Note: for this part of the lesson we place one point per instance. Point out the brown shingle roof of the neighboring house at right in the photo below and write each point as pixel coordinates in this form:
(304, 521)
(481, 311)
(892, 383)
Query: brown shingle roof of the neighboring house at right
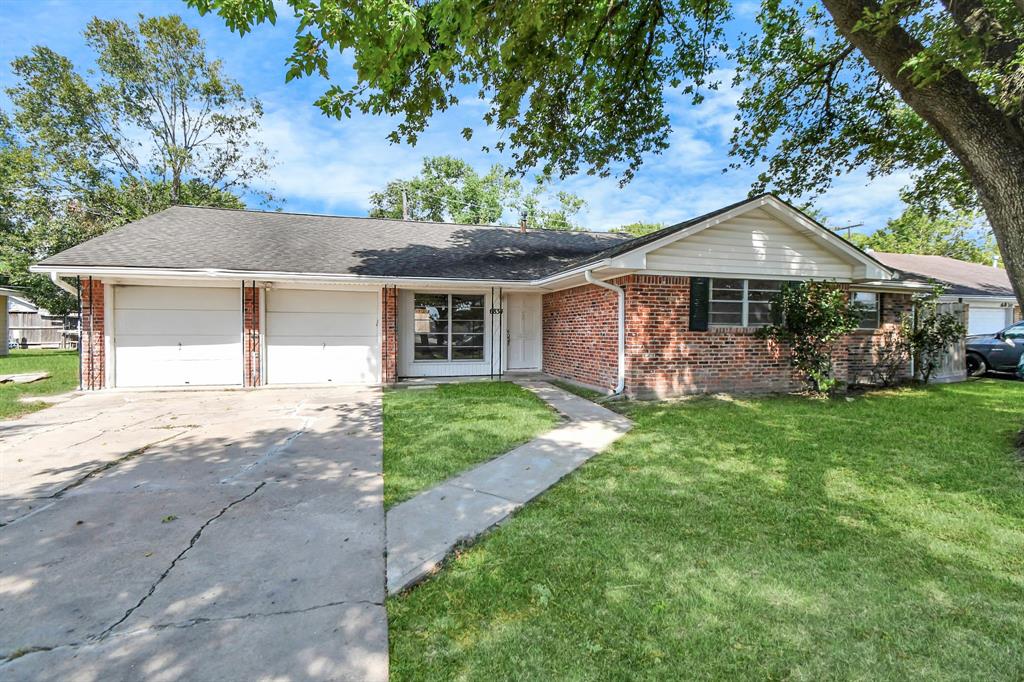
(960, 278)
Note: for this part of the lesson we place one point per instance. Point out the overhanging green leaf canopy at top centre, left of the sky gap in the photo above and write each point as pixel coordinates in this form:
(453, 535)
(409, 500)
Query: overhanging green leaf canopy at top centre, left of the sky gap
(571, 87)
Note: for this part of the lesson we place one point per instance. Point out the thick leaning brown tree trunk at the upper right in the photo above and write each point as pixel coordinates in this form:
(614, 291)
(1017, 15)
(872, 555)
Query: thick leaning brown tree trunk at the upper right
(990, 144)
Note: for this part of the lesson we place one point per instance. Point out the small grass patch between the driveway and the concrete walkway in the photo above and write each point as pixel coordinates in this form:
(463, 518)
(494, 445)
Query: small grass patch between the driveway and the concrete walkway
(434, 434)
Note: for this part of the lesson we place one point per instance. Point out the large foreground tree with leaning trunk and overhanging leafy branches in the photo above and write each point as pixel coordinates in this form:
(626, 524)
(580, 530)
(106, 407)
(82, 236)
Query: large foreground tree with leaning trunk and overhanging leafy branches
(930, 88)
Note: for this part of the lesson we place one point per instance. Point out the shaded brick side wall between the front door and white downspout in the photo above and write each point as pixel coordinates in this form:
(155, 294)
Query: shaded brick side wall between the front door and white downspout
(581, 335)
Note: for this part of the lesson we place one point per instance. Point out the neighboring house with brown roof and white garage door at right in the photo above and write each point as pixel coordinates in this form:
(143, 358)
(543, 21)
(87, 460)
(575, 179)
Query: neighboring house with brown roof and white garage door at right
(986, 291)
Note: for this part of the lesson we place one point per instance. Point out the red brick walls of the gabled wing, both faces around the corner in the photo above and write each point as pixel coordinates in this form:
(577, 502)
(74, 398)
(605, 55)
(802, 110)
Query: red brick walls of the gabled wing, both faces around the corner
(663, 357)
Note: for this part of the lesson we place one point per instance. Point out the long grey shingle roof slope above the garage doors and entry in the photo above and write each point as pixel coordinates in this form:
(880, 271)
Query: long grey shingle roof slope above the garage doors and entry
(191, 238)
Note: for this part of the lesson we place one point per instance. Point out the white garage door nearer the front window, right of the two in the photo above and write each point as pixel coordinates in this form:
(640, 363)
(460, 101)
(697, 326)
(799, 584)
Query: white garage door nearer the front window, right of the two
(322, 337)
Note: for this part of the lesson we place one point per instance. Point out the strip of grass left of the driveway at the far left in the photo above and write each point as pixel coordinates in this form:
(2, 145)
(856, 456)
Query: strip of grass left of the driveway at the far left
(63, 366)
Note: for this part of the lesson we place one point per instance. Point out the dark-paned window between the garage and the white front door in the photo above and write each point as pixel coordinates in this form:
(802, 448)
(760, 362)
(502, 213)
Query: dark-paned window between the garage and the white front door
(448, 327)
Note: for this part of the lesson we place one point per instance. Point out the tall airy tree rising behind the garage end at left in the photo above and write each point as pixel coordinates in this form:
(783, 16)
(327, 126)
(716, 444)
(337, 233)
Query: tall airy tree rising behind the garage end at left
(154, 122)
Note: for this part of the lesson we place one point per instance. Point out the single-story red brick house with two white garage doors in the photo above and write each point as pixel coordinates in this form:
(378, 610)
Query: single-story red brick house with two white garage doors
(198, 296)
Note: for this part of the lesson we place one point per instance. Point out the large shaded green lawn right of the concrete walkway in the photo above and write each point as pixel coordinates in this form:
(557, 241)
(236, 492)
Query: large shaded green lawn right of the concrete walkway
(878, 538)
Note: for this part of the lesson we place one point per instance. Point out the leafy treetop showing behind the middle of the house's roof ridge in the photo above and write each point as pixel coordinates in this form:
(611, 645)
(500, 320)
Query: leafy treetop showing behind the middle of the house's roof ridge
(451, 190)
